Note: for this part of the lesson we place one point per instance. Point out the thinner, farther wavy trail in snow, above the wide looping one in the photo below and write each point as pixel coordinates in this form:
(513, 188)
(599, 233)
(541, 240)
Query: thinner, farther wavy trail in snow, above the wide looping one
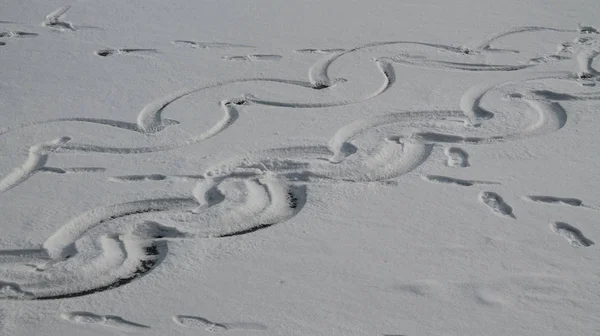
(150, 119)
